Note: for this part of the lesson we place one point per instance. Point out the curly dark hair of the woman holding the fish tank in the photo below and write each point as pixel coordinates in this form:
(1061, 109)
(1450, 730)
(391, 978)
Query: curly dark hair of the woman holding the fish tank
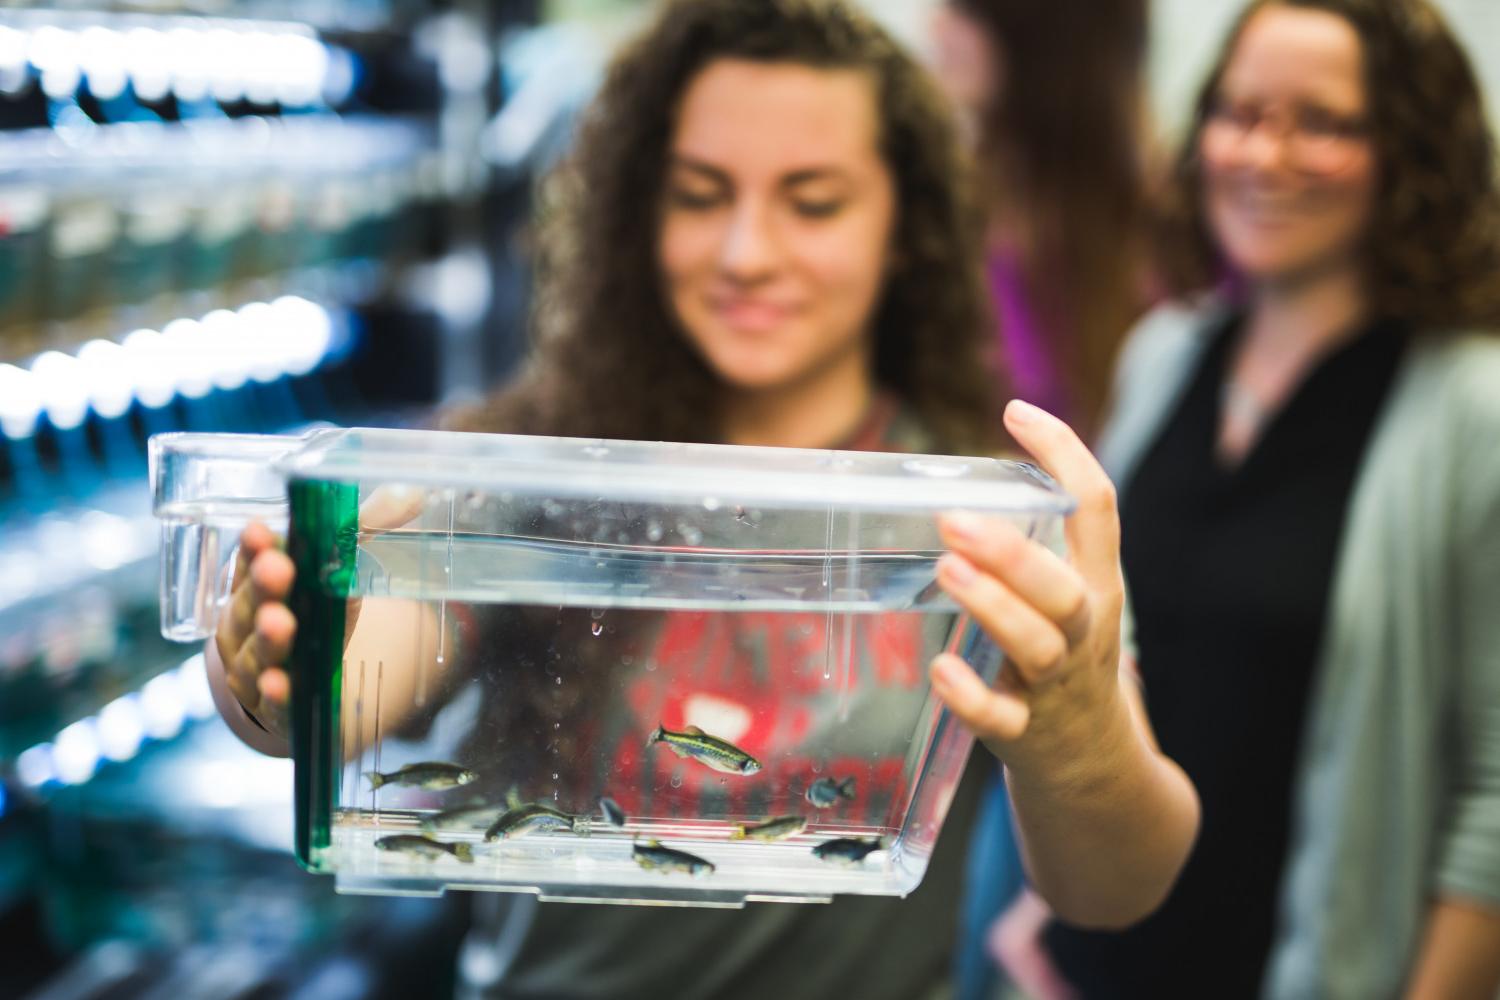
(610, 358)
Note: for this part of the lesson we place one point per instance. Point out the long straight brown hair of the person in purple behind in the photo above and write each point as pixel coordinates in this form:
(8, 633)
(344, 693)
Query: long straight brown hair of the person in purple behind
(1061, 145)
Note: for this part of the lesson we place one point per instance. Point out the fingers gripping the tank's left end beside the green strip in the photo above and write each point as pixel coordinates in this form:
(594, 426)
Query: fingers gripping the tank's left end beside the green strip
(257, 629)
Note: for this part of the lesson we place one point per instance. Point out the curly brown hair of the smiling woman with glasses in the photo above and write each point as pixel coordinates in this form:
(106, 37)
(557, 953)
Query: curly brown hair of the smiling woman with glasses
(1433, 250)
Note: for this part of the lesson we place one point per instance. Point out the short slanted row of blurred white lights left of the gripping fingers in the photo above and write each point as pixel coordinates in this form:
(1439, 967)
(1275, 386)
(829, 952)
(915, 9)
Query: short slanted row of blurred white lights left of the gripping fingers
(122, 728)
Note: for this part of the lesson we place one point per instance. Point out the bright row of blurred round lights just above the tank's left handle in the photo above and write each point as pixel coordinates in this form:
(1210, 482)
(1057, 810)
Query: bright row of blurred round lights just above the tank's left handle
(224, 350)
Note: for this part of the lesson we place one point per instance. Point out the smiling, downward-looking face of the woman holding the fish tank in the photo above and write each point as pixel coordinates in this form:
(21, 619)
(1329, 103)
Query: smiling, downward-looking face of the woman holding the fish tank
(778, 220)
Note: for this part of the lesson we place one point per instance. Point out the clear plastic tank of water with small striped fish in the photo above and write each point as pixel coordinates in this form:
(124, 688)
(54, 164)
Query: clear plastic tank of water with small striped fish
(499, 633)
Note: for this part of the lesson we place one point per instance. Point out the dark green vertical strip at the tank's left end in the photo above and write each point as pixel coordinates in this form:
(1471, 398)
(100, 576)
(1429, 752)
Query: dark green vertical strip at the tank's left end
(322, 543)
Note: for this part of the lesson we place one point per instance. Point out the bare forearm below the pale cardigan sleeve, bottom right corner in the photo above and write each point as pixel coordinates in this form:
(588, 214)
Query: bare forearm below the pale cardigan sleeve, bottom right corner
(1460, 957)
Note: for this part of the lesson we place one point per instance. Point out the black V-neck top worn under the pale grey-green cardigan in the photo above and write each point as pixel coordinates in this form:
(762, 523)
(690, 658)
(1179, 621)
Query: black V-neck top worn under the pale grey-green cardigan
(1229, 572)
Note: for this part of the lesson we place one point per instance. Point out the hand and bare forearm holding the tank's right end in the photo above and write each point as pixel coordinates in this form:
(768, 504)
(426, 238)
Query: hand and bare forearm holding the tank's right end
(1106, 821)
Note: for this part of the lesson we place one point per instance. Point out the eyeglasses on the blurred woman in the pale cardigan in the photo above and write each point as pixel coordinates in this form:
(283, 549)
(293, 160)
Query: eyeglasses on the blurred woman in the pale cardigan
(1313, 140)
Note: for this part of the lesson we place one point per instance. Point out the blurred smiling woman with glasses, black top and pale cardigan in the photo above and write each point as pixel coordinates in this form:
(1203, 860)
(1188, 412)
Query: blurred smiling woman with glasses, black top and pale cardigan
(1309, 454)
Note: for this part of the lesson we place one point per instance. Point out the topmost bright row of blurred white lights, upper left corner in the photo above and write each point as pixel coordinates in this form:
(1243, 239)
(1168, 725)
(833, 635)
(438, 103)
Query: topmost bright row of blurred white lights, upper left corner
(227, 62)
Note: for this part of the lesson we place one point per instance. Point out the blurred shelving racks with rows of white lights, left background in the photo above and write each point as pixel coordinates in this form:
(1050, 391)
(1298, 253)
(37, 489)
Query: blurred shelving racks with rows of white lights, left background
(241, 217)
